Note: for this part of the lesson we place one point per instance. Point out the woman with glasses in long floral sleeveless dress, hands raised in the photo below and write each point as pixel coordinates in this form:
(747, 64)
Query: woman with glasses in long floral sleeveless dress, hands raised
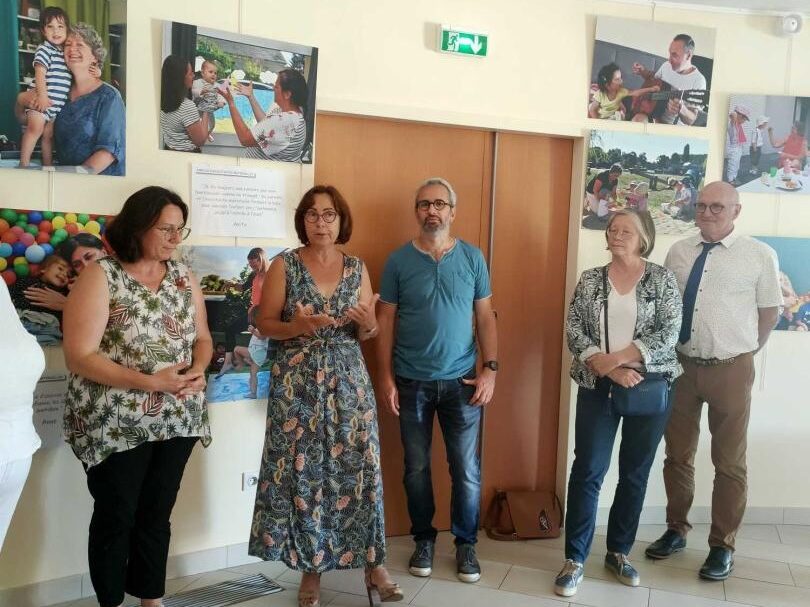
(319, 501)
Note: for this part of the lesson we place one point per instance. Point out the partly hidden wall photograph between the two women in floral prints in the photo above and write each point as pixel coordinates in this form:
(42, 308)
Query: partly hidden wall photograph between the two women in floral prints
(231, 280)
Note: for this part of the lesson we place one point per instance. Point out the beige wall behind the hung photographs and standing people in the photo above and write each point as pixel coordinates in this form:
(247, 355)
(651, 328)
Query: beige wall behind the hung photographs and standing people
(376, 58)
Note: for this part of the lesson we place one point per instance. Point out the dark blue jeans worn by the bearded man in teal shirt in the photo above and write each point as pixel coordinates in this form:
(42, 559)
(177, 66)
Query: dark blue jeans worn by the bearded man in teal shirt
(460, 422)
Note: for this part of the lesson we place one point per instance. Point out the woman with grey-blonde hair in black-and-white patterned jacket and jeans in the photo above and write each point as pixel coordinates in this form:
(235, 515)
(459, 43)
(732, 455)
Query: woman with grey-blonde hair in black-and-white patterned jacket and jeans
(644, 317)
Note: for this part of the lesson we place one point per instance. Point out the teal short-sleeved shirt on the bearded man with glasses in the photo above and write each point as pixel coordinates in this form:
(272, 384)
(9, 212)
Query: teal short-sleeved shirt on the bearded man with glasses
(435, 305)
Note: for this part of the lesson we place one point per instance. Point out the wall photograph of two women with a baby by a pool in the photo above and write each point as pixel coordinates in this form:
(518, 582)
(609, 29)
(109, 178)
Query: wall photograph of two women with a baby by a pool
(236, 95)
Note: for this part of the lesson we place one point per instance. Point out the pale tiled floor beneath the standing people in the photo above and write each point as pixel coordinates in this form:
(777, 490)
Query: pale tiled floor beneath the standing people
(772, 569)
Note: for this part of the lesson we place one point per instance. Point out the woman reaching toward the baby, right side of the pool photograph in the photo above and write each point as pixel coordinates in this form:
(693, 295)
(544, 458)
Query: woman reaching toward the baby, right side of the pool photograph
(280, 133)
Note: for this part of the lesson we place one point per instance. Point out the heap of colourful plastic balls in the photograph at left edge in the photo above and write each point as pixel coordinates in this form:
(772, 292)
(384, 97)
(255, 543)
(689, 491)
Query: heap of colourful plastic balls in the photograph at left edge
(27, 238)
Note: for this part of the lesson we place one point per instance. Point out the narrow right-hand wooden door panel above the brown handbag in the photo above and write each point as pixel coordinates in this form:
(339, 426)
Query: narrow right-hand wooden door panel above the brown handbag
(530, 243)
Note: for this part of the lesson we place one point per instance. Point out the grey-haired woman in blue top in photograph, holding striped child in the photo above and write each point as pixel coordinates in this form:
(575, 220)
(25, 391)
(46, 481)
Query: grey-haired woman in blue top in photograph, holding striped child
(90, 130)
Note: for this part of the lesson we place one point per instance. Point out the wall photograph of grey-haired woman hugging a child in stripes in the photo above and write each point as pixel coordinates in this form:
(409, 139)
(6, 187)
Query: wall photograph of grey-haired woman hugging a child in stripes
(63, 75)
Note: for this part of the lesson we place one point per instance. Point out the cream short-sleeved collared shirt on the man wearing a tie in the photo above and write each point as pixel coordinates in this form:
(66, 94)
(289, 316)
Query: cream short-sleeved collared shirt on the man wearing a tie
(741, 275)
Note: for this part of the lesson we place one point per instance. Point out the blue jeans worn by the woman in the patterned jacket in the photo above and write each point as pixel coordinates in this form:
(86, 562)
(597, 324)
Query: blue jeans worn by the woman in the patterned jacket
(596, 426)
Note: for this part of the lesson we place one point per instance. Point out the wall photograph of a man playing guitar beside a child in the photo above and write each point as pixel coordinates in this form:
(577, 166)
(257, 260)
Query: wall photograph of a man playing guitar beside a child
(646, 71)
